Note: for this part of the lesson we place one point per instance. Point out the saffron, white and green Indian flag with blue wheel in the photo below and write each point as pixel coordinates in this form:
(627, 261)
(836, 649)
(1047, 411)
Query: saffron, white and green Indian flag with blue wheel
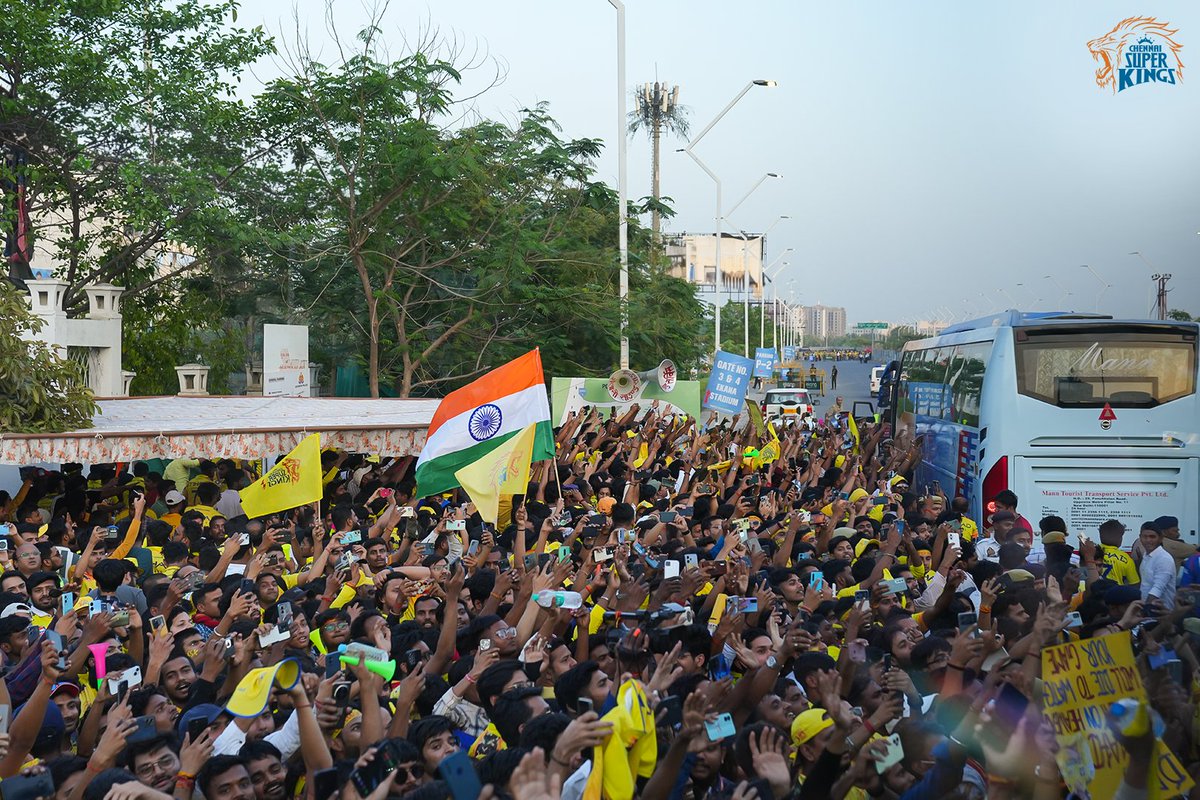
(483, 416)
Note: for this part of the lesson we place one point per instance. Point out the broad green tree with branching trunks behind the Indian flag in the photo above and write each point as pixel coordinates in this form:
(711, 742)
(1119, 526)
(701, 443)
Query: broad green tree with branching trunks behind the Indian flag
(463, 245)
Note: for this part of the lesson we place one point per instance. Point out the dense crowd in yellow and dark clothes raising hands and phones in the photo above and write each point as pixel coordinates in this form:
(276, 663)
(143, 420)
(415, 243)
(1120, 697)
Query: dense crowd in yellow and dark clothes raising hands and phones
(676, 609)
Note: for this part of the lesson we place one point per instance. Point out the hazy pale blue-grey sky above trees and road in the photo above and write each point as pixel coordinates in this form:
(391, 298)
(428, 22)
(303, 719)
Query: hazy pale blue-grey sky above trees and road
(933, 153)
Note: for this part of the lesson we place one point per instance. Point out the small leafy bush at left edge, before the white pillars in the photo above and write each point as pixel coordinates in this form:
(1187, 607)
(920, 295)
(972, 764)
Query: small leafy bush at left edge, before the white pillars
(40, 390)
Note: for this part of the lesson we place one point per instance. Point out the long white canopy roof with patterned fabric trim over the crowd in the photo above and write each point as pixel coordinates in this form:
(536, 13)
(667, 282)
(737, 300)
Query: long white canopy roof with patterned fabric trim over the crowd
(129, 429)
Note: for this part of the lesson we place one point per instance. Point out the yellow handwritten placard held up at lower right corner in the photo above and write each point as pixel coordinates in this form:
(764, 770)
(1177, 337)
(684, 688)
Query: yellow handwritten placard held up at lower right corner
(1081, 681)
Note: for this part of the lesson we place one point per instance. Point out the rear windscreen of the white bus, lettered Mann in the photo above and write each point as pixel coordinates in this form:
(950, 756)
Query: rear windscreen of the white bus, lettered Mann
(1125, 368)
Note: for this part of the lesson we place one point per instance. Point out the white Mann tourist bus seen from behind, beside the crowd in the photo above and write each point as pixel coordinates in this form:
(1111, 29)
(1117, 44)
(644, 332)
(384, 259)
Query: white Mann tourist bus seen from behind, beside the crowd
(1084, 417)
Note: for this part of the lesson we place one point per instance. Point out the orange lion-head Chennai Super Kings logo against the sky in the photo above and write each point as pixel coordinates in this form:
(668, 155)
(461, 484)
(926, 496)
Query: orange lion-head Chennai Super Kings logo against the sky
(1139, 50)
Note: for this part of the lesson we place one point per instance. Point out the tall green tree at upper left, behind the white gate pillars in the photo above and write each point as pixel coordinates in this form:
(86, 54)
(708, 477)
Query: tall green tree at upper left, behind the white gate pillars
(140, 159)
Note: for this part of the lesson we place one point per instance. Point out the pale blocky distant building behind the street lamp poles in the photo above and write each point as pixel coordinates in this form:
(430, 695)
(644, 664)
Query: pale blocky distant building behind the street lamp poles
(694, 258)
